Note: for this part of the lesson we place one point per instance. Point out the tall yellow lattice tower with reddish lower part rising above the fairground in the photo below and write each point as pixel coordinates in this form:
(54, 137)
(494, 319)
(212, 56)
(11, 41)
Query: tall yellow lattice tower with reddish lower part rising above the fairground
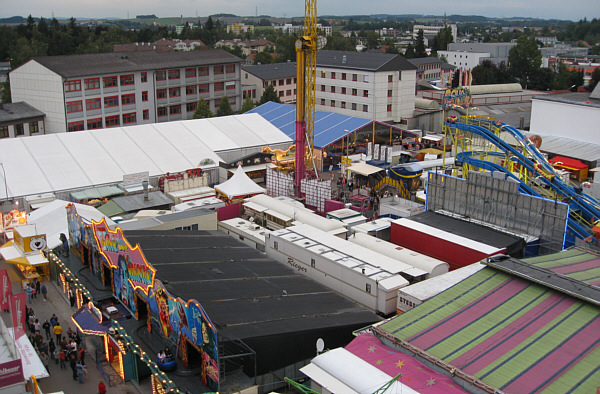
(306, 75)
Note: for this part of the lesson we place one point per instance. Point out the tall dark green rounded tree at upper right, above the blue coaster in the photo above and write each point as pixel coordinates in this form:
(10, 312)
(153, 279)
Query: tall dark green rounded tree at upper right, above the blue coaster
(524, 58)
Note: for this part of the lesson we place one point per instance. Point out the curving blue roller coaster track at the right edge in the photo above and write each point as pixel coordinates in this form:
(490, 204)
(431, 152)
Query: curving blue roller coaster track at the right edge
(584, 208)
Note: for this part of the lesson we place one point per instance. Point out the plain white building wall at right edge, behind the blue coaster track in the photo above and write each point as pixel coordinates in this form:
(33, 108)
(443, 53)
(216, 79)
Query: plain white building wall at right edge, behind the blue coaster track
(577, 122)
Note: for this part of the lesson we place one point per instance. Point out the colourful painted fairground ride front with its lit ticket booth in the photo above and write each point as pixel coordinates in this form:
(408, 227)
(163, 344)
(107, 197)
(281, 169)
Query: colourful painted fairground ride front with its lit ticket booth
(181, 324)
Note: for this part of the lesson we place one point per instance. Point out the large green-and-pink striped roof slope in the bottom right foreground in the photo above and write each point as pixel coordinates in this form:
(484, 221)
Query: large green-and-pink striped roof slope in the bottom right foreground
(512, 334)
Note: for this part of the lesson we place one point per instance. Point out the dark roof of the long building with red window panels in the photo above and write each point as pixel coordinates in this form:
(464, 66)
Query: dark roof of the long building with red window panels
(104, 63)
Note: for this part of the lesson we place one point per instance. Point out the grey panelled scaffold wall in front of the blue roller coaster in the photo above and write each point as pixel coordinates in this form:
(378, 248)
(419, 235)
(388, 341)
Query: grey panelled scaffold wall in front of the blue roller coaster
(482, 198)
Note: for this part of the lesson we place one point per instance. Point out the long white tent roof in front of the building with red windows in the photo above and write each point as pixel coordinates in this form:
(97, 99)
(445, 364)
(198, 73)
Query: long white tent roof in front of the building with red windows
(68, 161)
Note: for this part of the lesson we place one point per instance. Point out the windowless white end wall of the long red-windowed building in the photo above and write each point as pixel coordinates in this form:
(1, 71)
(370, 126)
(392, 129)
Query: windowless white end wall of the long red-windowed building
(42, 89)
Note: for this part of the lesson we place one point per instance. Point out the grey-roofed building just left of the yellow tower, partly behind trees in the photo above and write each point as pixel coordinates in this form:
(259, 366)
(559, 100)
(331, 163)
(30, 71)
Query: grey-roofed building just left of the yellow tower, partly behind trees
(282, 76)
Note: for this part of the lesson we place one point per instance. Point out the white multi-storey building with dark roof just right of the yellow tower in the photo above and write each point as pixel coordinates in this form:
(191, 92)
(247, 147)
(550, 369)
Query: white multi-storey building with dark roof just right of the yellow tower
(377, 86)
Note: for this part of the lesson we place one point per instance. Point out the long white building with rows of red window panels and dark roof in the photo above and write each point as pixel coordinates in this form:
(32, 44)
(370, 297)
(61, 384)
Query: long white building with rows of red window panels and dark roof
(95, 91)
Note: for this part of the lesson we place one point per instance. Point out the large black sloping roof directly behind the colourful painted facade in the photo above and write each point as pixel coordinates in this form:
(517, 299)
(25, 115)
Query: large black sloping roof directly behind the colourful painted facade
(245, 293)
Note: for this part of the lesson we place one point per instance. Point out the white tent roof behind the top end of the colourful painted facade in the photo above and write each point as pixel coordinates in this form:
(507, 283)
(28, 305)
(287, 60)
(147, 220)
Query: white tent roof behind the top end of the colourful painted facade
(51, 219)
